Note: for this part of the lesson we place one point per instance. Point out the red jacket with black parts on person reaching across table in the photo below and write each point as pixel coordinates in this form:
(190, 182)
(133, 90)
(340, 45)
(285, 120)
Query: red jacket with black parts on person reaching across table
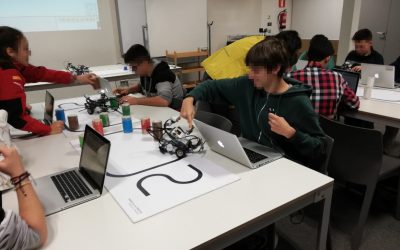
(13, 98)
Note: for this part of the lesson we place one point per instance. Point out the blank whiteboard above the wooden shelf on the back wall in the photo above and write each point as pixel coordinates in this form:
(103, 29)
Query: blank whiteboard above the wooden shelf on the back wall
(179, 25)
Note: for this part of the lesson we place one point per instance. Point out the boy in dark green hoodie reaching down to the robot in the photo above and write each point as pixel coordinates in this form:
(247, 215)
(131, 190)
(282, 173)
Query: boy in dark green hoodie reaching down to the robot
(273, 111)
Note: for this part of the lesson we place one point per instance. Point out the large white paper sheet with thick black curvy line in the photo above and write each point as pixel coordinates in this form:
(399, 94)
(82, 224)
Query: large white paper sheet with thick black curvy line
(150, 189)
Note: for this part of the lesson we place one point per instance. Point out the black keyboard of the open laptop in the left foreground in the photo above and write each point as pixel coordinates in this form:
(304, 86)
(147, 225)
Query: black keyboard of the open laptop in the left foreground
(70, 186)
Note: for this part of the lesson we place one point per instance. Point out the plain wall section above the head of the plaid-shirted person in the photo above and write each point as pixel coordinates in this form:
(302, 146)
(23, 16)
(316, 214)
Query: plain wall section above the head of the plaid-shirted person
(310, 17)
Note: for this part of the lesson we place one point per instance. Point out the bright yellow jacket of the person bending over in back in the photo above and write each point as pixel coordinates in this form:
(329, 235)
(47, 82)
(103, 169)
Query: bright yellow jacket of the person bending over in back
(228, 62)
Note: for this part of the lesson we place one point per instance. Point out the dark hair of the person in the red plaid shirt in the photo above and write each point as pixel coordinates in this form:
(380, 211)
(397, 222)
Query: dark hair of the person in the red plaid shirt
(320, 48)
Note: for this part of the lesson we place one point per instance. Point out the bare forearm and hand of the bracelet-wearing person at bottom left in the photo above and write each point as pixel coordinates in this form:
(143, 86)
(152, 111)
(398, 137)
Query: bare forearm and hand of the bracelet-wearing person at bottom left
(30, 208)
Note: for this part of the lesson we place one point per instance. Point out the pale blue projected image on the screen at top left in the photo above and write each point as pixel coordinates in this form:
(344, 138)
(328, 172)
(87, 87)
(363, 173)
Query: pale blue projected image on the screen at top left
(50, 15)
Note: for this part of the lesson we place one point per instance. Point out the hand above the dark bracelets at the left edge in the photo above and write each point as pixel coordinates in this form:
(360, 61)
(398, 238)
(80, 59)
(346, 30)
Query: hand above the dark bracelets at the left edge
(11, 164)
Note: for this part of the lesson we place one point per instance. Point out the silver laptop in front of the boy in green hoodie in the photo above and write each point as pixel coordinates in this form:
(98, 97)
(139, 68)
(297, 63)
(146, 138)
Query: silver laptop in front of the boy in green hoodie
(244, 151)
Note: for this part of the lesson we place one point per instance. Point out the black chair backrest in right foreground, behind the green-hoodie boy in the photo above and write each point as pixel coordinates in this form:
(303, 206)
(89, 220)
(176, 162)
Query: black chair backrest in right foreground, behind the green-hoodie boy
(357, 152)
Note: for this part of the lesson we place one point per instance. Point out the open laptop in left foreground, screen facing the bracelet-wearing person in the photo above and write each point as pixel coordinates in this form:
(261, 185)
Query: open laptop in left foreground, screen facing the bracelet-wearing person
(75, 186)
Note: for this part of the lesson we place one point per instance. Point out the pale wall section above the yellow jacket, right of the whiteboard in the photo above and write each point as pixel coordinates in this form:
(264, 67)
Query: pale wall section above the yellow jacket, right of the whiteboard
(232, 17)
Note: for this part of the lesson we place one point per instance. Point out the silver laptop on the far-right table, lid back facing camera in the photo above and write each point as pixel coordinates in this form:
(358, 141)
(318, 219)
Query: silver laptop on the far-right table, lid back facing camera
(384, 75)
